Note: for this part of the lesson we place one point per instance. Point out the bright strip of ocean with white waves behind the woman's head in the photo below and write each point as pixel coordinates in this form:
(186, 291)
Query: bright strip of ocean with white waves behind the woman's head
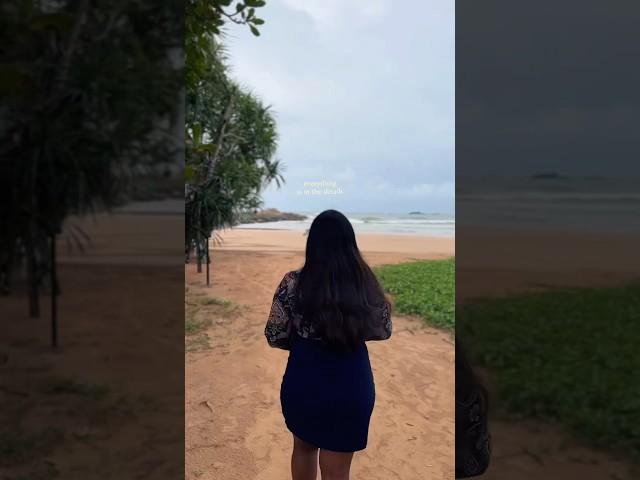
(432, 224)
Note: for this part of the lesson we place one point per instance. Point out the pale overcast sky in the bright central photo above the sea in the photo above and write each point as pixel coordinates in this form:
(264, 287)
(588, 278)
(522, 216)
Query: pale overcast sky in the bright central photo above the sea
(363, 92)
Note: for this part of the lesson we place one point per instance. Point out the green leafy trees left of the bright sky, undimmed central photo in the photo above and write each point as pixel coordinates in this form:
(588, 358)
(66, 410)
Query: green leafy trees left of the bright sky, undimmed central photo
(230, 134)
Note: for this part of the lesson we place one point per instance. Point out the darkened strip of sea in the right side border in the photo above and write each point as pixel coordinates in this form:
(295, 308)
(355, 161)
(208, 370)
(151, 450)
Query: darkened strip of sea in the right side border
(550, 202)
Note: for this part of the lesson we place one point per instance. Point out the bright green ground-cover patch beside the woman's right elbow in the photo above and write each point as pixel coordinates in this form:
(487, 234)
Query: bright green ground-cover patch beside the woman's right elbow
(425, 288)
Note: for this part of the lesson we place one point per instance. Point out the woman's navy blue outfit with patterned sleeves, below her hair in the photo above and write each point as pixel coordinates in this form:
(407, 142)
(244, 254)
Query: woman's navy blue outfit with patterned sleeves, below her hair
(327, 397)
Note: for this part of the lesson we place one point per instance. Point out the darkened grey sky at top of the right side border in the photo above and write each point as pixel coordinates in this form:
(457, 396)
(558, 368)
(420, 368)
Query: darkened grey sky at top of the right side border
(547, 86)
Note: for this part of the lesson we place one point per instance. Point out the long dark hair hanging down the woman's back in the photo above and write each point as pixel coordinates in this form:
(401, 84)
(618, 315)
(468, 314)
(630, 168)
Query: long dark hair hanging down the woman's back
(337, 293)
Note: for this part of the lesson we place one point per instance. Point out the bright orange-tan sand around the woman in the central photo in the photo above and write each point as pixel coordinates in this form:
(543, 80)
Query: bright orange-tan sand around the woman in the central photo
(234, 427)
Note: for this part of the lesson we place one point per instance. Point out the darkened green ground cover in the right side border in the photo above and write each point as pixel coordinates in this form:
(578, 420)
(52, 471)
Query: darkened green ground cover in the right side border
(568, 356)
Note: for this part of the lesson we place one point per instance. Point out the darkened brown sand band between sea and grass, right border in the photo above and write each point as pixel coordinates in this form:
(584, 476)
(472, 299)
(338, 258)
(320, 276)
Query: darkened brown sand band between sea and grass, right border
(519, 261)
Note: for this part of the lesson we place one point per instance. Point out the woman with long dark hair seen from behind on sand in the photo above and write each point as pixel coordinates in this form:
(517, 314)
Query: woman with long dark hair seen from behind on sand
(323, 314)
